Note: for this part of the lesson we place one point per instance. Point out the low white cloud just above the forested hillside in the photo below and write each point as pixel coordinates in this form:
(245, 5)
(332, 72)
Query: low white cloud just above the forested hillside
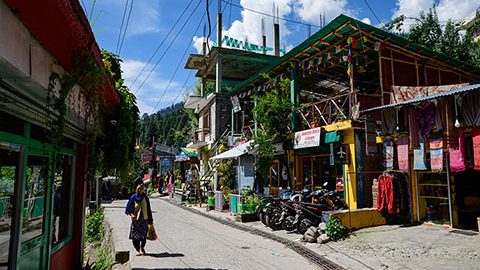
(148, 97)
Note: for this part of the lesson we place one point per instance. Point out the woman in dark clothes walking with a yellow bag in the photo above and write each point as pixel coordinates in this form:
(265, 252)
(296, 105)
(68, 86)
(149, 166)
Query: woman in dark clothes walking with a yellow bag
(138, 208)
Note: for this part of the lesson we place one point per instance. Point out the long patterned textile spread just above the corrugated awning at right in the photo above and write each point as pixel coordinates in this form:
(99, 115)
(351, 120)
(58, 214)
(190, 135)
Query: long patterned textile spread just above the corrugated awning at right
(404, 93)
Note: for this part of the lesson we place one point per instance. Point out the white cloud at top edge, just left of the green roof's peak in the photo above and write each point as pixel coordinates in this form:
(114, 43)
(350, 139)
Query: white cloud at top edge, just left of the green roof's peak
(310, 10)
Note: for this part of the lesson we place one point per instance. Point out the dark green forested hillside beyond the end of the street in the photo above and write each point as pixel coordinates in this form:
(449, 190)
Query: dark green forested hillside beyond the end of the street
(169, 126)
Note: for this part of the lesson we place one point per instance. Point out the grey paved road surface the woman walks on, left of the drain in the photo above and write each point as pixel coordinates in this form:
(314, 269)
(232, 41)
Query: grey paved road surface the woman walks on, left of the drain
(190, 241)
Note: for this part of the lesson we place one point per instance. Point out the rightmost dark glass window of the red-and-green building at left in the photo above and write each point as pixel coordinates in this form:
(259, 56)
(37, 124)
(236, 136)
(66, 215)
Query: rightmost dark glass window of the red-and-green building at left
(62, 200)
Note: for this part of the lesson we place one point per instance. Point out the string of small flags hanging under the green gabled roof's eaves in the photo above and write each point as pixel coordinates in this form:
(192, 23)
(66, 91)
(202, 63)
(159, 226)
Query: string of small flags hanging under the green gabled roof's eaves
(342, 52)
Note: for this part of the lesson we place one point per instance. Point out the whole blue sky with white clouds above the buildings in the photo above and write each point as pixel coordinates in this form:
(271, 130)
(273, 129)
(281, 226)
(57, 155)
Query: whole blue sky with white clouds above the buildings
(154, 37)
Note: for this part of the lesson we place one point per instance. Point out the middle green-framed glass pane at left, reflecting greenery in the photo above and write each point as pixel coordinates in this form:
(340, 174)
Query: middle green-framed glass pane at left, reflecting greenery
(35, 191)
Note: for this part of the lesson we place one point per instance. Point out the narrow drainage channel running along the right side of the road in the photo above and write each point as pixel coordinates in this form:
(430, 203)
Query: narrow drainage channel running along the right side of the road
(313, 257)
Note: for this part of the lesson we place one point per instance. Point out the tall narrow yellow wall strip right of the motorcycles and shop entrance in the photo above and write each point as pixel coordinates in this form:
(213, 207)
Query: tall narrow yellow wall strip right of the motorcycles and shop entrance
(350, 170)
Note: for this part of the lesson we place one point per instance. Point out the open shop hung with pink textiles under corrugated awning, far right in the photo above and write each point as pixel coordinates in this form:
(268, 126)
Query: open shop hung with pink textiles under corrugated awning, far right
(436, 146)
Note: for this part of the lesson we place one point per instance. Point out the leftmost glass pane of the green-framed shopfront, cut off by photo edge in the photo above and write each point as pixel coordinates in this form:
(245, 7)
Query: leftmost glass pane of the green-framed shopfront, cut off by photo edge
(9, 162)
